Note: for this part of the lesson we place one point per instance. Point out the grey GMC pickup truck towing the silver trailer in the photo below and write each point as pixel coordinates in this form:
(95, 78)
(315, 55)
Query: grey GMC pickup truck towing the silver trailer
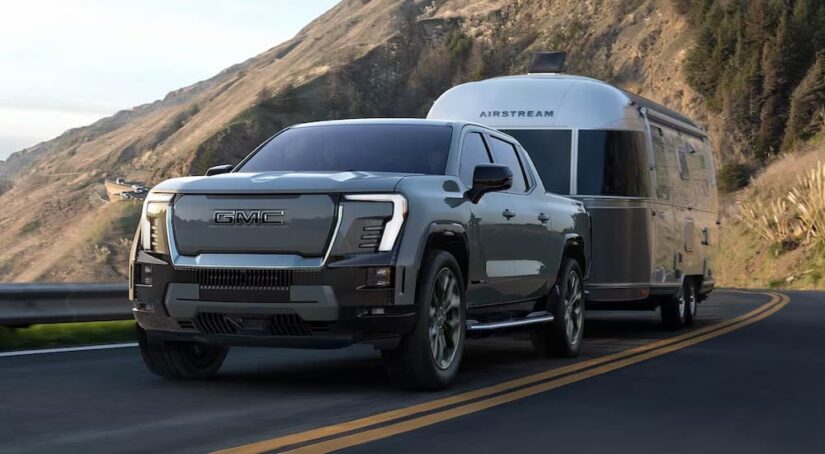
(409, 235)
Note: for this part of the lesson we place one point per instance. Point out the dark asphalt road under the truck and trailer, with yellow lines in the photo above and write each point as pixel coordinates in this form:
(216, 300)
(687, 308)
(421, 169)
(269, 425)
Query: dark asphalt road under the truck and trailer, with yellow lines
(748, 378)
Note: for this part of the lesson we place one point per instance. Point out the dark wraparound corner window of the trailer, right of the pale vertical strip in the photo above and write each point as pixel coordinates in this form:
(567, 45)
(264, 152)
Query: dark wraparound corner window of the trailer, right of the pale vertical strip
(613, 163)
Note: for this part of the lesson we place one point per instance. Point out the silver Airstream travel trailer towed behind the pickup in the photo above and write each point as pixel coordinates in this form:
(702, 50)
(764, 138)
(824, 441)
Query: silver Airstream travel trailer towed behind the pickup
(645, 173)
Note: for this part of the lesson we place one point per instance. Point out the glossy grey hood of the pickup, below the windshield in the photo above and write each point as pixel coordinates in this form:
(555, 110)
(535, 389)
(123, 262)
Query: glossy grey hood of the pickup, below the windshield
(283, 182)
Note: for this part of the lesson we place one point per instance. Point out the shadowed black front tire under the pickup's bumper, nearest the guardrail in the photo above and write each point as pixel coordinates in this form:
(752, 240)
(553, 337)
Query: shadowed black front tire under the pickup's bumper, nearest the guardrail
(180, 360)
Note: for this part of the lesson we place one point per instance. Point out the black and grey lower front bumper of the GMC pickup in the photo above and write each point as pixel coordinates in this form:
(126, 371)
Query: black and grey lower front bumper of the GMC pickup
(319, 308)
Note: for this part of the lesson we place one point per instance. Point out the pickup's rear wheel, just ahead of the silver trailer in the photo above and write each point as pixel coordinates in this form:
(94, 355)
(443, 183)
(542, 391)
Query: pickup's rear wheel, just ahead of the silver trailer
(563, 337)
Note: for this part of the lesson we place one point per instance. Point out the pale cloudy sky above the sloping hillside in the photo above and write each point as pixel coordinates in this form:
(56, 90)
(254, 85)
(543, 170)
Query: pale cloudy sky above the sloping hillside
(65, 64)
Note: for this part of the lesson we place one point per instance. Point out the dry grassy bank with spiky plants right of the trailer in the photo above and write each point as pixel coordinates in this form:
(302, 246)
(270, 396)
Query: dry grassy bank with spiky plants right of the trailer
(773, 231)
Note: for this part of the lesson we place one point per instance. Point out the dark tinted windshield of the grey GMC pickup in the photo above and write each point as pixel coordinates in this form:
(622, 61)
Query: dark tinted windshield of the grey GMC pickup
(400, 148)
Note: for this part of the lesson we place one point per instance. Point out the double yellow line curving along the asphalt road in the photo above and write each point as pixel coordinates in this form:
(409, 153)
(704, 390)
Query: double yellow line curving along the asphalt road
(394, 422)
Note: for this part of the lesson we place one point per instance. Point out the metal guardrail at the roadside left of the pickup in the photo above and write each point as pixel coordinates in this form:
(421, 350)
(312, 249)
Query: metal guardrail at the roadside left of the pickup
(26, 304)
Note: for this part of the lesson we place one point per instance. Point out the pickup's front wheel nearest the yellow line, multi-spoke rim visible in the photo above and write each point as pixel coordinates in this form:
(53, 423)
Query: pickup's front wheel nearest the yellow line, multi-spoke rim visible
(429, 356)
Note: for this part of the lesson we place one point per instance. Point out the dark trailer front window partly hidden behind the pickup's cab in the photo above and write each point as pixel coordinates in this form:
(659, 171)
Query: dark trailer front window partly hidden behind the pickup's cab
(549, 149)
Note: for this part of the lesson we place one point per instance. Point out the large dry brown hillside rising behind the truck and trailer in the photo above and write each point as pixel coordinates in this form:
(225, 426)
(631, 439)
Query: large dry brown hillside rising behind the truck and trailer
(361, 58)
